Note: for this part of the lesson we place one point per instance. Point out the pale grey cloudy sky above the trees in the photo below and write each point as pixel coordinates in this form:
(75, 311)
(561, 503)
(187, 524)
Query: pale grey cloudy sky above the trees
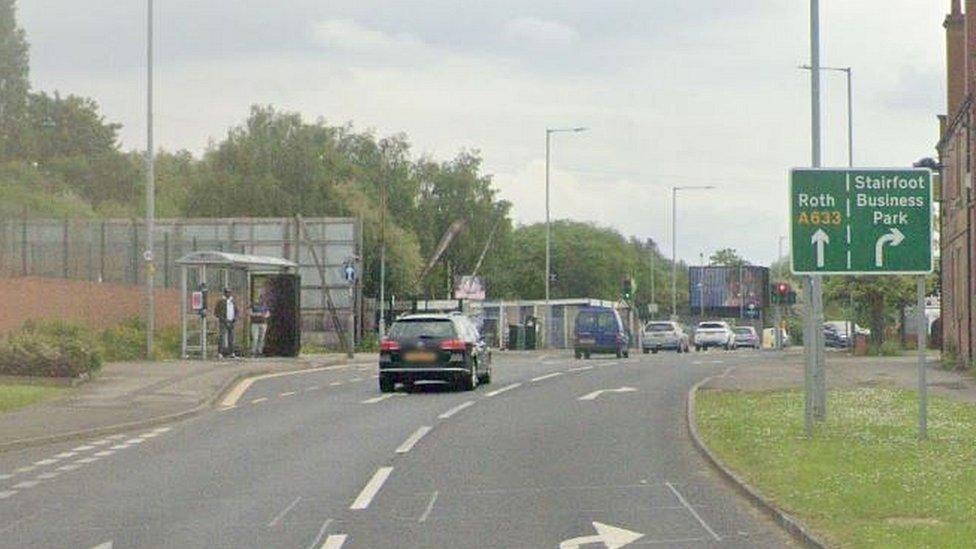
(675, 92)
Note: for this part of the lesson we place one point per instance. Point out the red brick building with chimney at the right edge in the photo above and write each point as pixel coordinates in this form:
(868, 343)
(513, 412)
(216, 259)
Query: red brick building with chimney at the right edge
(958, 210)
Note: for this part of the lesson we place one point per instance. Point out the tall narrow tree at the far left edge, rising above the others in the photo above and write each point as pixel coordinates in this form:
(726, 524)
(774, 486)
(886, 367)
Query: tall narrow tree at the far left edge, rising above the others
(14, 83)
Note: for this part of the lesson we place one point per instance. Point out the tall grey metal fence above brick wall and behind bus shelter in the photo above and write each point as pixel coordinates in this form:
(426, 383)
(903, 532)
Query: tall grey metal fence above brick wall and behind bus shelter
(111, 250)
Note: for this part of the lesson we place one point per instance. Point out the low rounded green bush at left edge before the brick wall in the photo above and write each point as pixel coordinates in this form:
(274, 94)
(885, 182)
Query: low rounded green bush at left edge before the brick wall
(54, 349)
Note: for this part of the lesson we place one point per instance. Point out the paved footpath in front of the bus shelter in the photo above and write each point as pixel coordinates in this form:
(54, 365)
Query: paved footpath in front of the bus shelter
(125, 396)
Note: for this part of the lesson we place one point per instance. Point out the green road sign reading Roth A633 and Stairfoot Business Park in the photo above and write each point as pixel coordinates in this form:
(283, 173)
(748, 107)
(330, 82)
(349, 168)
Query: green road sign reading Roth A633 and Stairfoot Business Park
(861, 221)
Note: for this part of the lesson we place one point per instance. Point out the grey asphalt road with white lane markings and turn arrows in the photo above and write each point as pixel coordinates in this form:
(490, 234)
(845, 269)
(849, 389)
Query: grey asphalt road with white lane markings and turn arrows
(555, 452)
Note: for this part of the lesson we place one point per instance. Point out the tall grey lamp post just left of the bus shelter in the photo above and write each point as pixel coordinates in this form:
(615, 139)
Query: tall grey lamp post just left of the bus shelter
(150, 190)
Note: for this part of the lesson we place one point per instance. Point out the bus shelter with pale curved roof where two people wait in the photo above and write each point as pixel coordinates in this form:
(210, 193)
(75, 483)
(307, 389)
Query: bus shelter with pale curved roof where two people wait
(252, 278)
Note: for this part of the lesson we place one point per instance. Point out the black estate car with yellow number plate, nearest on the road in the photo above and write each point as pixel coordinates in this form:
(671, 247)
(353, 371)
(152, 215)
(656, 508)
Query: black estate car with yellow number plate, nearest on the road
(434, 347)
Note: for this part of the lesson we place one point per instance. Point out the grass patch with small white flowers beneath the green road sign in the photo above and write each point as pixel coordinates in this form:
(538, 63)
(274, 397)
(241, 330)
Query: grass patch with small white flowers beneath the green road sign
(865, 480)
